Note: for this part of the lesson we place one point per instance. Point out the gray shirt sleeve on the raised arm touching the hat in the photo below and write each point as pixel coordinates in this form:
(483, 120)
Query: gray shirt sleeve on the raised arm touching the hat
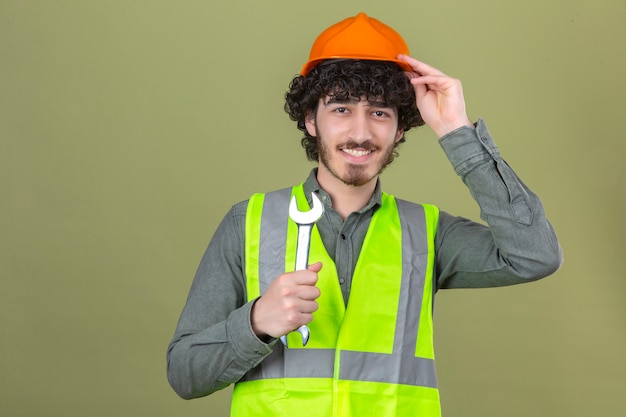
(517, 245)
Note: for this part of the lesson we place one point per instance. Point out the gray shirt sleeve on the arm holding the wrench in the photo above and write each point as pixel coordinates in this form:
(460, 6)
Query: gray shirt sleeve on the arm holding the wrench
(214, 345)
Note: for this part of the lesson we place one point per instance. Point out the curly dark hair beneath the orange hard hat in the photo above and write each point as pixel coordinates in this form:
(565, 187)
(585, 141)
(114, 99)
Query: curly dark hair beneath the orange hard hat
(346, 79)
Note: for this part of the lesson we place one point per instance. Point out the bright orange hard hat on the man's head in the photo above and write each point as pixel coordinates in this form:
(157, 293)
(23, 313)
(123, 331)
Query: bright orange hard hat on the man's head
(358, 37)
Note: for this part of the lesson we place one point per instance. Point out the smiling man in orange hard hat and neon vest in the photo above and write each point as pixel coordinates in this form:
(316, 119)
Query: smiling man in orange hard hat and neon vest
(376, 261)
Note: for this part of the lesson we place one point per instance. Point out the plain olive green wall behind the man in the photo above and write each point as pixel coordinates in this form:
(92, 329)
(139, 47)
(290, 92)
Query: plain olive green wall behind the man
(129, 128)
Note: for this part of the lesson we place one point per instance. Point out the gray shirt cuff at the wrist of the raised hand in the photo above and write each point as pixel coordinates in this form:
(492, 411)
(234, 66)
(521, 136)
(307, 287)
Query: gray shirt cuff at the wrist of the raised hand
(468, 147)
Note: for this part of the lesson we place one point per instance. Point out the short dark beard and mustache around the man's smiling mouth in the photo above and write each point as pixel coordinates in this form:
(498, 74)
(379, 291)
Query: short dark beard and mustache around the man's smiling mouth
(355, 175)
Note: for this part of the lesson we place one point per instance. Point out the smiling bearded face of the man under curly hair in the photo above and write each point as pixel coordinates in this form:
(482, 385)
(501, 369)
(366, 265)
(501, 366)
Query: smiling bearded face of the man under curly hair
(355, 138)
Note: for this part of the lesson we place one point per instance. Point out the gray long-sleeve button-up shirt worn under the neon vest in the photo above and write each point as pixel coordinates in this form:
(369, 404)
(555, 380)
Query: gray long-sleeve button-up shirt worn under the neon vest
(214, 345)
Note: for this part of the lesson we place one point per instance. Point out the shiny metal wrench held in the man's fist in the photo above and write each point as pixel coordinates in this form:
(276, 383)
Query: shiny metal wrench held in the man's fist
(305, 221)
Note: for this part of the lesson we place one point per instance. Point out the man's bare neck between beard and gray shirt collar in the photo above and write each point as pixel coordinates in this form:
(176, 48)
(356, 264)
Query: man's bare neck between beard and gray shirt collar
(346, 198)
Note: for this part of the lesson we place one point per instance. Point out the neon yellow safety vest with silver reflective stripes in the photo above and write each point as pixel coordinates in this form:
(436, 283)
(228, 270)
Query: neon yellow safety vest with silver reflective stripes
(372, 358)
